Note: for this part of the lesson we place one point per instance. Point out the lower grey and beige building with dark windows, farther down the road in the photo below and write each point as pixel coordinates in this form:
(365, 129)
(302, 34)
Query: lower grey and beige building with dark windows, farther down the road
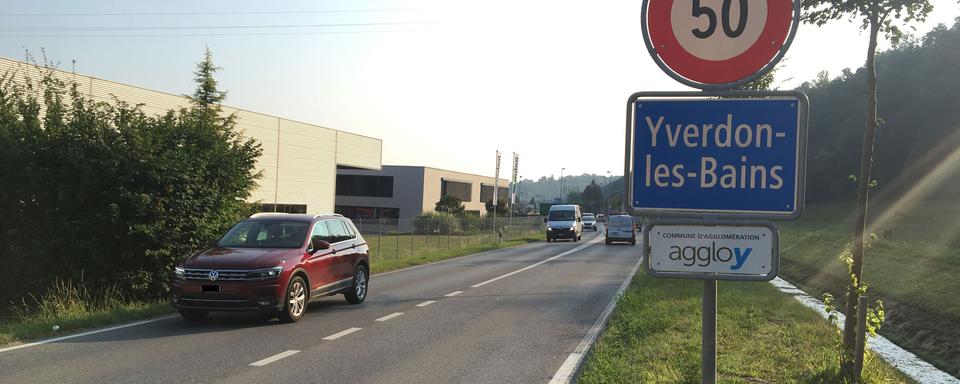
(402, 192)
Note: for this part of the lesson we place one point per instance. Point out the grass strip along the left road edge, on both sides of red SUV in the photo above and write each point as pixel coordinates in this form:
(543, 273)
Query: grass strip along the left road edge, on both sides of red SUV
(72, 308)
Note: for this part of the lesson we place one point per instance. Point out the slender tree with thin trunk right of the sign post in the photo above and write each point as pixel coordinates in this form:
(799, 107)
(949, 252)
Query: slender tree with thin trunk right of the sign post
(876, 16)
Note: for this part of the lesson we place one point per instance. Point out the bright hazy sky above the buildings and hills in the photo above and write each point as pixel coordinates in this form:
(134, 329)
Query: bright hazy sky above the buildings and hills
(443, 83)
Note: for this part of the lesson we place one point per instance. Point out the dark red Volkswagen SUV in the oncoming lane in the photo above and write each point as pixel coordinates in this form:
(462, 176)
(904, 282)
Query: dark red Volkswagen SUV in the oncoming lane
(275, 263)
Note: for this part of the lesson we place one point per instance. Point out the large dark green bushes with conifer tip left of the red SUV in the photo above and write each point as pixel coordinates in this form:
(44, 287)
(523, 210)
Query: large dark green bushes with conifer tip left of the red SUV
(103, 193)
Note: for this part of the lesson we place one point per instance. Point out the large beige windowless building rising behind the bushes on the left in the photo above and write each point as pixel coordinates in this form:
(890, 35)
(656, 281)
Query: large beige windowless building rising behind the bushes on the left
(299, 161)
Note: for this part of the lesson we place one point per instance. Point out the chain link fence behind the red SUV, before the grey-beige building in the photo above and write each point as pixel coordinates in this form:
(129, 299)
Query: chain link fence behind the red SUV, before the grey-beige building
(400, 238)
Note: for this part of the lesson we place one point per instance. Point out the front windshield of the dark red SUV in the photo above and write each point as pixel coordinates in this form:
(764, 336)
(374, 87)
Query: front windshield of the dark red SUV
(266, 234)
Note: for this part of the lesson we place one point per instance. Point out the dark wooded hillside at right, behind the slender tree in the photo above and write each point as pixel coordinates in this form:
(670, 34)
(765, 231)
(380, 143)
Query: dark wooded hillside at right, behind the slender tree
(920, 116)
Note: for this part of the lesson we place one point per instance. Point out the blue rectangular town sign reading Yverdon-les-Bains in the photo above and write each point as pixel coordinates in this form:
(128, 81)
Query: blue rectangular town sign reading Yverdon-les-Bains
(693, 155)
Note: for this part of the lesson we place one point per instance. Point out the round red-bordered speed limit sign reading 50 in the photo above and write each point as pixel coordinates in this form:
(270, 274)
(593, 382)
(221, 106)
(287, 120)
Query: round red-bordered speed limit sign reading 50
(714, 44)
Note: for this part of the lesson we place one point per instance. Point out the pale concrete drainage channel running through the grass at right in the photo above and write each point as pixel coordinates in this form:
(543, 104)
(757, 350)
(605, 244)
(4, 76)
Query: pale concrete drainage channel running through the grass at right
(899, 358)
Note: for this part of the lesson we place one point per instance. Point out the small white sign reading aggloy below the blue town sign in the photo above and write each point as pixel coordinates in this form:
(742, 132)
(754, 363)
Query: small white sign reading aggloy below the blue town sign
(717, 251)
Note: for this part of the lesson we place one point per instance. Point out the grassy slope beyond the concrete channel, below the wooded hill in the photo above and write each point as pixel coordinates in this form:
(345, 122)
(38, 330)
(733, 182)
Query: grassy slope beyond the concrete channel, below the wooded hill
(911, 265)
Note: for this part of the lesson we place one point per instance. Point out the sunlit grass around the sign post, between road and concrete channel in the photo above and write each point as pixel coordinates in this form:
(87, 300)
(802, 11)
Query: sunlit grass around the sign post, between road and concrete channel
(764, 336)
